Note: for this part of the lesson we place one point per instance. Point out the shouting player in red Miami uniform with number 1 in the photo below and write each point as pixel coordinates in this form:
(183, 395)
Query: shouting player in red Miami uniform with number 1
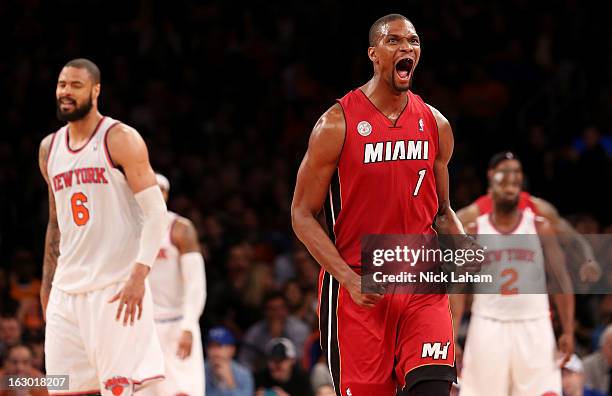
(380, 157)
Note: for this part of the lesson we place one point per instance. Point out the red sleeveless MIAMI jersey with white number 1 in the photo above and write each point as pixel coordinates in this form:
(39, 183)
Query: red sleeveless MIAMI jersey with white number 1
(384, 183)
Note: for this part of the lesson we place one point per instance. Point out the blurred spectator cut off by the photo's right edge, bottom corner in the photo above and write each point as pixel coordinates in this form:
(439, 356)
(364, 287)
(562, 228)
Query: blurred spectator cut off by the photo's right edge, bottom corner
(597, 366)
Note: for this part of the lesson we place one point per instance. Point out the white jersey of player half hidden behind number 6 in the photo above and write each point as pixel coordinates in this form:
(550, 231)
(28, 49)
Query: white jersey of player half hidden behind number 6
(165, 278)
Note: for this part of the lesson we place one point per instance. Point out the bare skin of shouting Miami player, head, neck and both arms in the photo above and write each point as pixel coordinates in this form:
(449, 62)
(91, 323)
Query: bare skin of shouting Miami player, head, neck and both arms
(387, 91)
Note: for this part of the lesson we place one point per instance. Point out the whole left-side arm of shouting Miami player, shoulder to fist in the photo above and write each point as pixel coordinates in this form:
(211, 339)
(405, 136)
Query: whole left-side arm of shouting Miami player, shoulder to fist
(311, 188)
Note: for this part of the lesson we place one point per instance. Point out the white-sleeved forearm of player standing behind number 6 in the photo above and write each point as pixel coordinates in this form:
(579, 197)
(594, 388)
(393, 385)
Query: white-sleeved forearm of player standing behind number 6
(194, 289)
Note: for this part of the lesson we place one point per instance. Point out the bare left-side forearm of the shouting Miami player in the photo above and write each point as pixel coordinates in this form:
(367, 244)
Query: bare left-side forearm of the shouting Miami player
(316, 240)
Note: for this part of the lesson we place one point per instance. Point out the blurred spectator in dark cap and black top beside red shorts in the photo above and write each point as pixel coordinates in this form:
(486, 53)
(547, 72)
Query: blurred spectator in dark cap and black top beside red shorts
(282, 375)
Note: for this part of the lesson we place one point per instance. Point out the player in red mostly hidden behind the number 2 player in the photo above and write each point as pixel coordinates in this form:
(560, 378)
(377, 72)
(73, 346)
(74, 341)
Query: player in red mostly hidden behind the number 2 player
(589, 270)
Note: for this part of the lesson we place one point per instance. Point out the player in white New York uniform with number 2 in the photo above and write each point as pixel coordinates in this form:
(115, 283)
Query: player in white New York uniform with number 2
(510, 346)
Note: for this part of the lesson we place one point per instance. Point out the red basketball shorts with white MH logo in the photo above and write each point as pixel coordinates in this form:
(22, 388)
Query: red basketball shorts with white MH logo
(403, 340)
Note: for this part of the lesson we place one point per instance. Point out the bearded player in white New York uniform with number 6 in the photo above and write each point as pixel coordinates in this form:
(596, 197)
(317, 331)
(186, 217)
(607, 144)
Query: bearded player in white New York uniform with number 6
(107, 217)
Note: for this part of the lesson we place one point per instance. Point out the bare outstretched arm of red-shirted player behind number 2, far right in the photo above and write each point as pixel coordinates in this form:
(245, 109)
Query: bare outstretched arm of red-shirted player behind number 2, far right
(590, 269)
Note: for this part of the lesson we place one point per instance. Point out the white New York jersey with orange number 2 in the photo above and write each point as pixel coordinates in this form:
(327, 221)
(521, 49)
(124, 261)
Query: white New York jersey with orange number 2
(517, 266)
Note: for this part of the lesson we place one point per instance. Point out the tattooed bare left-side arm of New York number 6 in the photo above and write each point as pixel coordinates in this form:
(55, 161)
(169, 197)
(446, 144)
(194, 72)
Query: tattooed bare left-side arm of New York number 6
(52, 236)
